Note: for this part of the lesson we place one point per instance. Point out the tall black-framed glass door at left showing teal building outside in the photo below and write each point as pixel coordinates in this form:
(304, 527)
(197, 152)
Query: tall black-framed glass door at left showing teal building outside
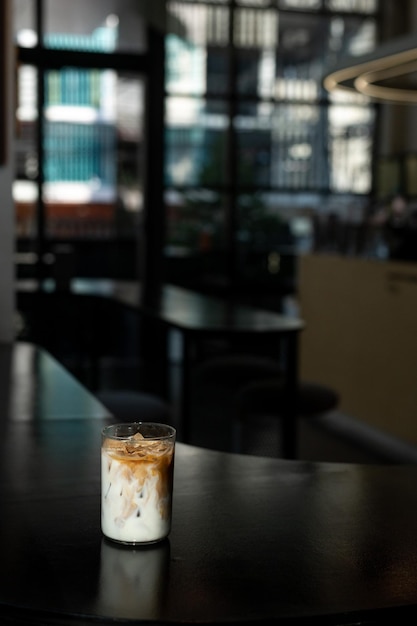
(80, 104)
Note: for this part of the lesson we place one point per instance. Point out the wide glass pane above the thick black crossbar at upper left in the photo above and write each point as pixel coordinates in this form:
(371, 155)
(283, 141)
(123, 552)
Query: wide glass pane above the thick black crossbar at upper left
(105, 26)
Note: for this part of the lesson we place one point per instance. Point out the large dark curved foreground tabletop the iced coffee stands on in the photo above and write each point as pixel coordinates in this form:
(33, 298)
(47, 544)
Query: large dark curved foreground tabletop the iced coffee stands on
(254, 540)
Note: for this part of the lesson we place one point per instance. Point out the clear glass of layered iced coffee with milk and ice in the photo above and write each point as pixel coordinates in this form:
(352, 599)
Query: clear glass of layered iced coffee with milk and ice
(137, 465)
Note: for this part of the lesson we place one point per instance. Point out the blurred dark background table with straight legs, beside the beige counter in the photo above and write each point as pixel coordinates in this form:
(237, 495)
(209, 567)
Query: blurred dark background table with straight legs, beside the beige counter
(199, 317)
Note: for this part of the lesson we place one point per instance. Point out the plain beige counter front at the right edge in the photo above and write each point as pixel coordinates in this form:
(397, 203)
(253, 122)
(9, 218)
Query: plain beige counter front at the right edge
(361, 337)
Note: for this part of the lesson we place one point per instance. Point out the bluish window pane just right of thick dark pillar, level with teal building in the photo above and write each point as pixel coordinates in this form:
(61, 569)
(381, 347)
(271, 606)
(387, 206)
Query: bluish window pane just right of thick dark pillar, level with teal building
(195, 142)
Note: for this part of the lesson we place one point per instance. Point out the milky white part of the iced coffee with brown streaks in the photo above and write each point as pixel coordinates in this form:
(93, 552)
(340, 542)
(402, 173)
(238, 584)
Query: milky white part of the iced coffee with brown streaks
(133, 508)
